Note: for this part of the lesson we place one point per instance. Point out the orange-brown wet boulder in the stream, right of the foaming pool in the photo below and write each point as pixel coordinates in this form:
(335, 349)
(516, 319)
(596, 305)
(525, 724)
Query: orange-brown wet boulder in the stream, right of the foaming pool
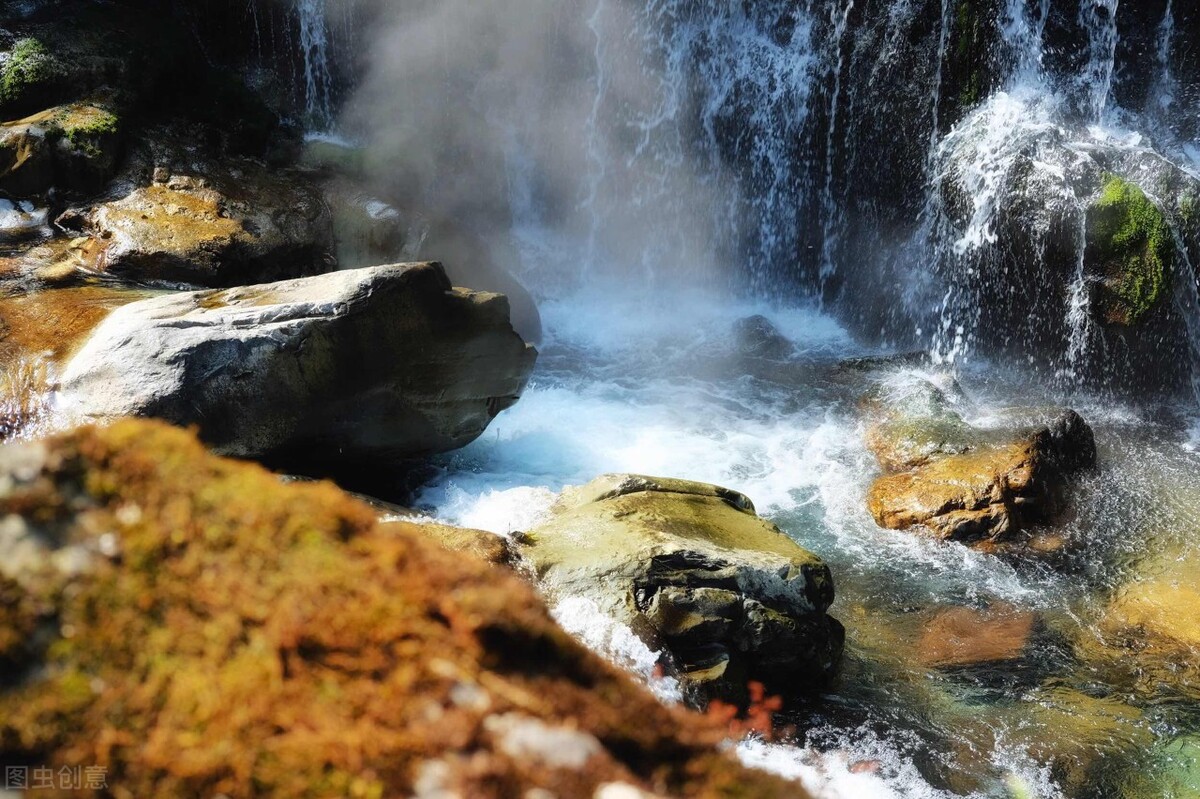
(986, 488)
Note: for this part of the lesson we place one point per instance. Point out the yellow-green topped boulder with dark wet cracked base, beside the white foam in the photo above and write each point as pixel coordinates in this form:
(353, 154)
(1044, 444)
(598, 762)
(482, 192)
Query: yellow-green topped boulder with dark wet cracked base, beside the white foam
(692, 568)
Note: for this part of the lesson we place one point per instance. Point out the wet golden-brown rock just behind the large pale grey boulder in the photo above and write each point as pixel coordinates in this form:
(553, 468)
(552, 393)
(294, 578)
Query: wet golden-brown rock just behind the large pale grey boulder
(245, 225)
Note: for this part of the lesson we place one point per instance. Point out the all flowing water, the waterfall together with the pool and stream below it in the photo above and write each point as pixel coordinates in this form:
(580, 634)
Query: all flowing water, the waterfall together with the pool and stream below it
(863, 169)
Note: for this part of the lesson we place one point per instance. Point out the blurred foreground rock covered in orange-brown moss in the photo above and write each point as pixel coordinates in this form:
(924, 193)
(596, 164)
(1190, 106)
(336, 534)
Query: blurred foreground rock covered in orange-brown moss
(199, 629)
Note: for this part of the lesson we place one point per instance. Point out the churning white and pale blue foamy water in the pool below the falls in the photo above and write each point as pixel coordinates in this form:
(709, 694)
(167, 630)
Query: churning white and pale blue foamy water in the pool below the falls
(657, 386)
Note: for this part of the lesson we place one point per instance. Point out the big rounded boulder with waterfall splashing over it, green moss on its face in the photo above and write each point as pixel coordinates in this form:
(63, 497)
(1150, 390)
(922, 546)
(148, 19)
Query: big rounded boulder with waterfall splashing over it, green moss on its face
(1067, 250)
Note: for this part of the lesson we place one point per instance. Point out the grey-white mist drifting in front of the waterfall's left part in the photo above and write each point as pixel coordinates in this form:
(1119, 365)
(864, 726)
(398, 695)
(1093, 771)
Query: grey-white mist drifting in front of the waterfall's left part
(556, 140)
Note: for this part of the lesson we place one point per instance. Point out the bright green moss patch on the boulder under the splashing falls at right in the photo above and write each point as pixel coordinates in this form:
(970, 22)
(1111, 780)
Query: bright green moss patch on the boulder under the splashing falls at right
(1131, 242)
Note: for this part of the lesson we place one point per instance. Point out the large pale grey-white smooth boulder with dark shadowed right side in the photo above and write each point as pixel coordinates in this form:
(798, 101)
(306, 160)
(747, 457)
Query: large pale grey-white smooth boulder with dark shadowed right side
(341, 370)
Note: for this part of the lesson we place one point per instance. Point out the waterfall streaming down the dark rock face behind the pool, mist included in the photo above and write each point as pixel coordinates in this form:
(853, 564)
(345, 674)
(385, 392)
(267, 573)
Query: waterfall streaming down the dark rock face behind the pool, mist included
(923, 169)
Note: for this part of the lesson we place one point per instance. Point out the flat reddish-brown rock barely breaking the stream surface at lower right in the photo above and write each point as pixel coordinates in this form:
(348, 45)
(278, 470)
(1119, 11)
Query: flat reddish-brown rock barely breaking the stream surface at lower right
(961, 638)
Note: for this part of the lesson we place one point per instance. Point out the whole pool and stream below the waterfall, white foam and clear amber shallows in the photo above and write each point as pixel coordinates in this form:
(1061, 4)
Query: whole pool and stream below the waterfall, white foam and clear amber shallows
(623, 386)
